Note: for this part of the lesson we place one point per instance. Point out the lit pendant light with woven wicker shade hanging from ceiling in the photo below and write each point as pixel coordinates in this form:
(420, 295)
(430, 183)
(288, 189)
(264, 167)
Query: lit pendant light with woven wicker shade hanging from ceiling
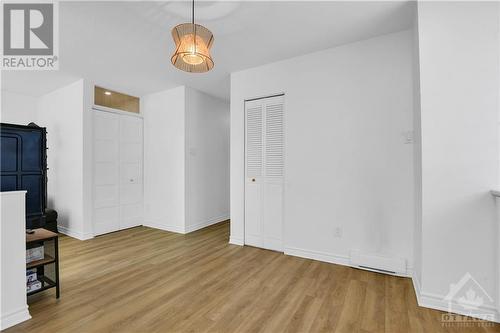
(192, 47)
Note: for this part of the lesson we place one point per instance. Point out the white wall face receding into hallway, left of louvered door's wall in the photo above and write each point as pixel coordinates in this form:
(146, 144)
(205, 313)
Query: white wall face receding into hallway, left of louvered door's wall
(207, 159)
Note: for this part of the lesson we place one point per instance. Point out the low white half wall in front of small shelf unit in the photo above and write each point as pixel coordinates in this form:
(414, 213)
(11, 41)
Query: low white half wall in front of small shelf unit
(13, 302)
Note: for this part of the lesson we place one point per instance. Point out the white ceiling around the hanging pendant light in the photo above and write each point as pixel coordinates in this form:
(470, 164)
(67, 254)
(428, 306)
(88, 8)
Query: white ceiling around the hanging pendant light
(127, 45)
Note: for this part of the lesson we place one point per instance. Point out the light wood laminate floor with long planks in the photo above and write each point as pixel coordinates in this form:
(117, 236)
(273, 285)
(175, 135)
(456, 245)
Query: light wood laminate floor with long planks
(147, 280)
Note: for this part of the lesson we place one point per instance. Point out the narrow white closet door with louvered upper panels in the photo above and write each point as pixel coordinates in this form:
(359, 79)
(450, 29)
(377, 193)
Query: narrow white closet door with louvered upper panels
(264, 141)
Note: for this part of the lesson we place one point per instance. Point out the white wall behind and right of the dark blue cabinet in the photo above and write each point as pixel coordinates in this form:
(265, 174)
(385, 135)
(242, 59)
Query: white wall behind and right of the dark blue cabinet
(66, 114)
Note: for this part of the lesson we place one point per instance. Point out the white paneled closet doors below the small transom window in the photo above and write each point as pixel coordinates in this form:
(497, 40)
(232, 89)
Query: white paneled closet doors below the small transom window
(118, 189)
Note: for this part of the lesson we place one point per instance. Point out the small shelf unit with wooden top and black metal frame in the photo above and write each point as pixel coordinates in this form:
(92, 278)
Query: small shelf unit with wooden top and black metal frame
(40, 236)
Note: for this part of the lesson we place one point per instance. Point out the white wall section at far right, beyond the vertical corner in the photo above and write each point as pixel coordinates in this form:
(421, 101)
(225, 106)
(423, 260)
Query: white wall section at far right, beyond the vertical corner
(459, 87)
